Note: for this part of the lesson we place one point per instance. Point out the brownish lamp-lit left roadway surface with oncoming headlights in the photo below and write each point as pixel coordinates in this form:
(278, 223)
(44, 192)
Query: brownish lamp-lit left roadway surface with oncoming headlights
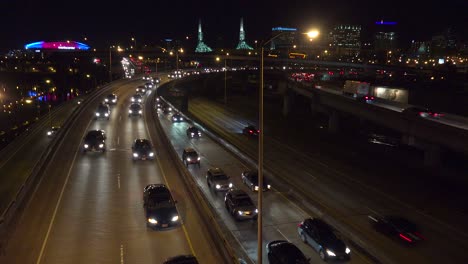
(88, 207)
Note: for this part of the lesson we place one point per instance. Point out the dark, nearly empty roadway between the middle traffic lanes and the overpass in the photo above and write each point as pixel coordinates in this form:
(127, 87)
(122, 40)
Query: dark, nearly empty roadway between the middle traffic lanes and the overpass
(347, 192)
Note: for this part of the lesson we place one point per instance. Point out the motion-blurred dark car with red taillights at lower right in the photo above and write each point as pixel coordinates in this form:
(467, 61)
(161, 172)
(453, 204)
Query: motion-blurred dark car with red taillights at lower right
(397, 227)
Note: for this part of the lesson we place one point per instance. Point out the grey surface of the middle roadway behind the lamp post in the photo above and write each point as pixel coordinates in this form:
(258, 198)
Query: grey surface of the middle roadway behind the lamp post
(281, 216)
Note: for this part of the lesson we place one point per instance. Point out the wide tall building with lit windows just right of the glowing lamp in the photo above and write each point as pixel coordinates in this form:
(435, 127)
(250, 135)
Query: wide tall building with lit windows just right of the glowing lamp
(345, 40)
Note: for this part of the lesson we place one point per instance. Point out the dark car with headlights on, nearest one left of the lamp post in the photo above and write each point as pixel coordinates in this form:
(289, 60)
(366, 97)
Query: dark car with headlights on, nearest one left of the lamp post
(240, 205)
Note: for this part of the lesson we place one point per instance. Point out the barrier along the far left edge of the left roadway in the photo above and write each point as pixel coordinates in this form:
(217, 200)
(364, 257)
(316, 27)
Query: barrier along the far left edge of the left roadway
(17, 204)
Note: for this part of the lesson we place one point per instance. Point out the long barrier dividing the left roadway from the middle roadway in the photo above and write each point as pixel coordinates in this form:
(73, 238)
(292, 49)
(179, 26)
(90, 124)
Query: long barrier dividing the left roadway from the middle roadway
(230, 253)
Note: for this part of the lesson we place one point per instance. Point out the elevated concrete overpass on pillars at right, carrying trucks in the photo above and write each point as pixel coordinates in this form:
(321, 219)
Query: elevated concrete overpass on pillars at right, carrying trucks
(429, 134)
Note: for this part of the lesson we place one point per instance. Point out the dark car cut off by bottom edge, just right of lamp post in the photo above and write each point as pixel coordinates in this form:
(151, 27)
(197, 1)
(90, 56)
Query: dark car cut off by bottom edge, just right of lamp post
(284, 252)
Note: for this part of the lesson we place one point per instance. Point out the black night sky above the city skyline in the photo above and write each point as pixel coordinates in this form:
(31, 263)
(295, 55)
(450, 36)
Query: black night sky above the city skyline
(115, 22)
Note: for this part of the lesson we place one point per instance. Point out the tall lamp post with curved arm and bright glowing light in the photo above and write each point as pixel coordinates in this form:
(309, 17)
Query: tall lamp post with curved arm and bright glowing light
(311, 35)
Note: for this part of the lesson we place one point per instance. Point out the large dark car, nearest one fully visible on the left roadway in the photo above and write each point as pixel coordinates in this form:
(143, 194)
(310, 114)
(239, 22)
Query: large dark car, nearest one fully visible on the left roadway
(160, 208)
